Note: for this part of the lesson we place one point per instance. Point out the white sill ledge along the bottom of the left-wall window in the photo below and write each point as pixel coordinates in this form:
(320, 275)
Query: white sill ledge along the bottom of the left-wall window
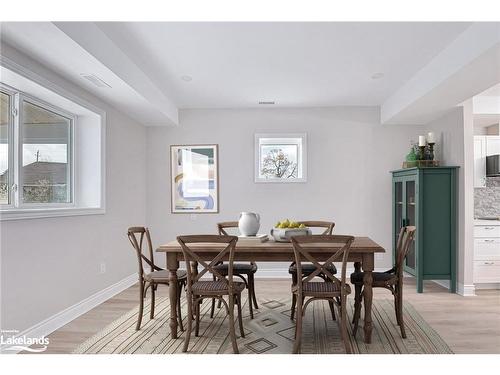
(39, 213)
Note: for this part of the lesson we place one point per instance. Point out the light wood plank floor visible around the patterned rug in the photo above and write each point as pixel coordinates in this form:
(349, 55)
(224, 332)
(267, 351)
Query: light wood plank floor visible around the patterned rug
(467, 324)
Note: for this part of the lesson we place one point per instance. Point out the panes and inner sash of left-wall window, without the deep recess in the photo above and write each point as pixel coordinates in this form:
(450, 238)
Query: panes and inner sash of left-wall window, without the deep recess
(36, 163)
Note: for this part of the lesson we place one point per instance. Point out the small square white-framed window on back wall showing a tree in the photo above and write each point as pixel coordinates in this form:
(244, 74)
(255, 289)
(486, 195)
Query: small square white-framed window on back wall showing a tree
(280, 158)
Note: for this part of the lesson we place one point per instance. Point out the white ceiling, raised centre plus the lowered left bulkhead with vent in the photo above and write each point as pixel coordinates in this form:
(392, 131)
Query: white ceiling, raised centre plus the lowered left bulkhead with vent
(234, 65)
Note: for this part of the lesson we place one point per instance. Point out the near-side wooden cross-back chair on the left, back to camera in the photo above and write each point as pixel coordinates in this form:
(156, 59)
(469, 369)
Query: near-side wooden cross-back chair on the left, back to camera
(223, 285)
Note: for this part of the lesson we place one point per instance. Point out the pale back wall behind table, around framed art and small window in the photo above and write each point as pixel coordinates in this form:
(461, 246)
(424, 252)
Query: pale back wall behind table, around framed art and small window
(349, 158)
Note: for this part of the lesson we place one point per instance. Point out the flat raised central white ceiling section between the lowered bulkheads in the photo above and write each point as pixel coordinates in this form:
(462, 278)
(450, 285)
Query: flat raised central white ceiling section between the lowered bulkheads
(294, 64)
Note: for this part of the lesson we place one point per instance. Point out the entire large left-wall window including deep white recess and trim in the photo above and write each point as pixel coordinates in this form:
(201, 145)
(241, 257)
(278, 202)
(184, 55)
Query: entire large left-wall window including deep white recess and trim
(52, 149)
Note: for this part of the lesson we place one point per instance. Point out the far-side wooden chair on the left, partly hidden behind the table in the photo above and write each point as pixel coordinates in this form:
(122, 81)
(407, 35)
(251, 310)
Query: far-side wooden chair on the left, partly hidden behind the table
(245, 271)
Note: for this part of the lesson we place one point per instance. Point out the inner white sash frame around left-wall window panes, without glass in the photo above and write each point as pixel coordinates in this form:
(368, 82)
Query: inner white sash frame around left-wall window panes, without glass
(16, 155)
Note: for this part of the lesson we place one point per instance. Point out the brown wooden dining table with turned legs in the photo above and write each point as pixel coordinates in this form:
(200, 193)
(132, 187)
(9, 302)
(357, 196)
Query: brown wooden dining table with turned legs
(361, 254)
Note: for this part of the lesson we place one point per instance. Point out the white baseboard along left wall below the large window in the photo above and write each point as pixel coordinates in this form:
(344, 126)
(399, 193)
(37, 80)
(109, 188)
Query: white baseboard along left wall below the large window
(49, 325)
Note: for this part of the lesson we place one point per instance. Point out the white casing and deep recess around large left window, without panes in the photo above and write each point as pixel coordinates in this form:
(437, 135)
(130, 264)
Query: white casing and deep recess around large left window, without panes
(89, 195)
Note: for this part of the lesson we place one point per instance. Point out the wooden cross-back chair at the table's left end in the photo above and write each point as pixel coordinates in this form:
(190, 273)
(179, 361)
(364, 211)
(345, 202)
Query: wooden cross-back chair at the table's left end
(156, 276)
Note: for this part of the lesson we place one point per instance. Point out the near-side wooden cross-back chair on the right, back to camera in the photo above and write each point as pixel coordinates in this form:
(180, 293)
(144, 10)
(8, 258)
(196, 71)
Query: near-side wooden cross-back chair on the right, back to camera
(334, 291)
